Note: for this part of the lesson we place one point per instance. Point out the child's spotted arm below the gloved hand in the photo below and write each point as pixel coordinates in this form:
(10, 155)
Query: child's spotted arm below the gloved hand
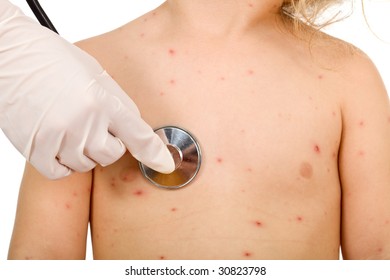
(52, 217)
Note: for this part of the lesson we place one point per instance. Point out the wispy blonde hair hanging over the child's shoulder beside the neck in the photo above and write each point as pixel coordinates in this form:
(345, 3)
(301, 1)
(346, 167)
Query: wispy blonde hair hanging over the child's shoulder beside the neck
(308, 12)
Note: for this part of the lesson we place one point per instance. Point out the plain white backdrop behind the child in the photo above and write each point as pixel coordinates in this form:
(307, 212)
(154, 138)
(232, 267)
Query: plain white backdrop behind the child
(79, 19)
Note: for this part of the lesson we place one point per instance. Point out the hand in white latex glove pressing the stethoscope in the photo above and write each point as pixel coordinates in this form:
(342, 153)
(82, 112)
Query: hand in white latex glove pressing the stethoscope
(60, 109)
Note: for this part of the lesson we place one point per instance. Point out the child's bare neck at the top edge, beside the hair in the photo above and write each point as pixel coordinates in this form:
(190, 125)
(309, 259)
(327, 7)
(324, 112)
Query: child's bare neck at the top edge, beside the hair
(222, 17)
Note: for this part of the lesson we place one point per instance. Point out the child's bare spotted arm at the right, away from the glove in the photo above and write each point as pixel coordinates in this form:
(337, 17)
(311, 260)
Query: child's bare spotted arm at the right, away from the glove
(364, 163)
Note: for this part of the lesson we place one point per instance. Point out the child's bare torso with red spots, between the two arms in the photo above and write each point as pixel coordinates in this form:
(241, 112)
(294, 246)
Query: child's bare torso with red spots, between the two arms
(269, 125)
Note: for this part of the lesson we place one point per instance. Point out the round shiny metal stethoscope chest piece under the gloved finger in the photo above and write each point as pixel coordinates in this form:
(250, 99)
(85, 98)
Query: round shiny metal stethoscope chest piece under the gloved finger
(186, 153)
